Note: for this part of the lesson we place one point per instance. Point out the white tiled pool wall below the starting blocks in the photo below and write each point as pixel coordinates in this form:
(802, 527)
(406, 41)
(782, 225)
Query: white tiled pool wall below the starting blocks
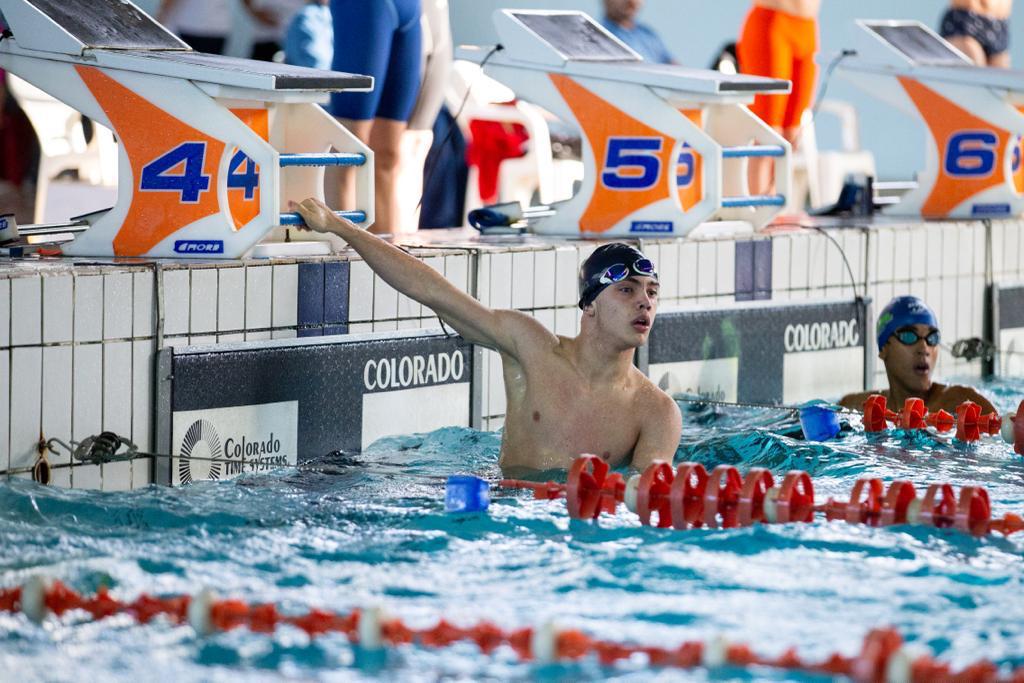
(77, 357)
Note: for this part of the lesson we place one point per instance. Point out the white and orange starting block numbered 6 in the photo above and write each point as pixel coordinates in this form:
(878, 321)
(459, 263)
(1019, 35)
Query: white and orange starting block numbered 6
(974, 115)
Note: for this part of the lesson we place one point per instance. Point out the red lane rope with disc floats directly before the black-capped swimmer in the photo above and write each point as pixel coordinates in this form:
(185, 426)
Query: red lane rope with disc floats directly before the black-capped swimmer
(690, 498)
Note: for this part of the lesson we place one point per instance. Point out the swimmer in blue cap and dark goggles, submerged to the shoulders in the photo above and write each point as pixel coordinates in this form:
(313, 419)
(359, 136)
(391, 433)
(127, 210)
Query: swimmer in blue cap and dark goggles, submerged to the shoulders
(908, 335)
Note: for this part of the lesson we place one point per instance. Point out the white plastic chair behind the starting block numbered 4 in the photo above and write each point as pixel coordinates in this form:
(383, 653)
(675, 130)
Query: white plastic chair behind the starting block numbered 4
(62, 143)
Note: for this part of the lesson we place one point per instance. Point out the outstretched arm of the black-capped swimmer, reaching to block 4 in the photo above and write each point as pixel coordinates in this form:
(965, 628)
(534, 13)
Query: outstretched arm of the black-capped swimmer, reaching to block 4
(501, 330)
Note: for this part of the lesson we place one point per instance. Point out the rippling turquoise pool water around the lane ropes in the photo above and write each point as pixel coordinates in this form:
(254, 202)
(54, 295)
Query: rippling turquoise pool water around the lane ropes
(371, 530)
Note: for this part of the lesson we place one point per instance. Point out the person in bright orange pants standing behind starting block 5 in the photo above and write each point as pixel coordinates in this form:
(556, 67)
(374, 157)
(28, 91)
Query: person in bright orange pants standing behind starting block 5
(780, 39)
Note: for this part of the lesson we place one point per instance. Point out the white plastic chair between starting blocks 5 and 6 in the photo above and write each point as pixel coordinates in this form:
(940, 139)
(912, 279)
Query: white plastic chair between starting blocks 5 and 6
(820, 175)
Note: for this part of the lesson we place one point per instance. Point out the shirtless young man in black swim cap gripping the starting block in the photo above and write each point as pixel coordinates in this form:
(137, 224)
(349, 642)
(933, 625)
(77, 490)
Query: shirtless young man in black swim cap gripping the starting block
(566, 397)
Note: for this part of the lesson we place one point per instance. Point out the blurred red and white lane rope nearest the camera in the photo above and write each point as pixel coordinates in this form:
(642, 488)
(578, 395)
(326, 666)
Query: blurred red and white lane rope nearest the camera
(883, 656)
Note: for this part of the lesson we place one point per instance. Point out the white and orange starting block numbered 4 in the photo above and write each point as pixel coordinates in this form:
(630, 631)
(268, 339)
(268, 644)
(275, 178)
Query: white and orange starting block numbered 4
(211, 148)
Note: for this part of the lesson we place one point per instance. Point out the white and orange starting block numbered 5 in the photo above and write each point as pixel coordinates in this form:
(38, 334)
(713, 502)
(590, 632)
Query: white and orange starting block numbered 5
(665, 148)
